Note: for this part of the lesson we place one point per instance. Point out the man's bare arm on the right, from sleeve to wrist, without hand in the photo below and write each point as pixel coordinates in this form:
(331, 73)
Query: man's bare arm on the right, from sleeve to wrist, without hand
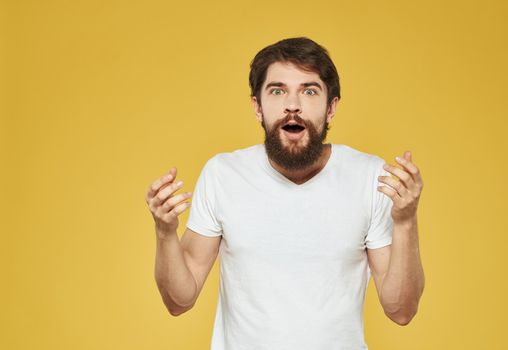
(398, 273)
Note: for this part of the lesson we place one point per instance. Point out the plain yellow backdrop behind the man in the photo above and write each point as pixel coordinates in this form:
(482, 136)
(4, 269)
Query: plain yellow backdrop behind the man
(100, 98)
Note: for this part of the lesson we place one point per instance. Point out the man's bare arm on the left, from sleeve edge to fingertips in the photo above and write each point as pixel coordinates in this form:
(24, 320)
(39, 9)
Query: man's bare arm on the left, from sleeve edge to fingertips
(180, 267)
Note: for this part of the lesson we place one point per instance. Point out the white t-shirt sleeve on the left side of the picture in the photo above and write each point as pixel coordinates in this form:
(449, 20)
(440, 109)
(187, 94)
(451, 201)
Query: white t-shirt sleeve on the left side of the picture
(203, 211)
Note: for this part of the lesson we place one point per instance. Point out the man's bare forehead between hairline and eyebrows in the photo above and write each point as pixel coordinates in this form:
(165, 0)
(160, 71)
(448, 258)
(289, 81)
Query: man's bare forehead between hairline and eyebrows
(289, 74)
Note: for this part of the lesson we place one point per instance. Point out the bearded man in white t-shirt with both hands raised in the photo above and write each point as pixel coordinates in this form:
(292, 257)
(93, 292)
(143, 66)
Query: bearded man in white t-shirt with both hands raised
(300, 225)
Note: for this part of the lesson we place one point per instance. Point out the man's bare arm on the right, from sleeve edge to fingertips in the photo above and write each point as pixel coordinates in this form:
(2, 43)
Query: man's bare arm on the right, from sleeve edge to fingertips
(397, 269)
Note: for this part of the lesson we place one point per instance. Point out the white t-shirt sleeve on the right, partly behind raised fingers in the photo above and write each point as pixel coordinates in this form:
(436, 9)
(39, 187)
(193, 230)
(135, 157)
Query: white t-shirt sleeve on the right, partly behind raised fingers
(380, 230)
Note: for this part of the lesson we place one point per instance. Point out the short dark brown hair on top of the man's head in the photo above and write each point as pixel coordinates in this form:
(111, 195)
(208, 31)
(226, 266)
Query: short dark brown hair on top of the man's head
(302, 52)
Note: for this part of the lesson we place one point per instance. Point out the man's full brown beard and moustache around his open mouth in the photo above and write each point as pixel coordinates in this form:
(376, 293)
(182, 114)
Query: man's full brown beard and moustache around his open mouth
(294, 156)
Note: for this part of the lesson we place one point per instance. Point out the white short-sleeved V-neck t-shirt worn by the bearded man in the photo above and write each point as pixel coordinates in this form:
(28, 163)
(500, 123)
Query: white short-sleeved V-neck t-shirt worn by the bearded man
(293, 259)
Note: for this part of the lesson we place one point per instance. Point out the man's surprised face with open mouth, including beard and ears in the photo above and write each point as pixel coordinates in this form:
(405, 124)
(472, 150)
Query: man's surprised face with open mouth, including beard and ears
(293, 114)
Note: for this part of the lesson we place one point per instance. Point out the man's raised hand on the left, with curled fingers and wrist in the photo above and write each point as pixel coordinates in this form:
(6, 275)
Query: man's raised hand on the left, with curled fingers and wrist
(164, 206)
